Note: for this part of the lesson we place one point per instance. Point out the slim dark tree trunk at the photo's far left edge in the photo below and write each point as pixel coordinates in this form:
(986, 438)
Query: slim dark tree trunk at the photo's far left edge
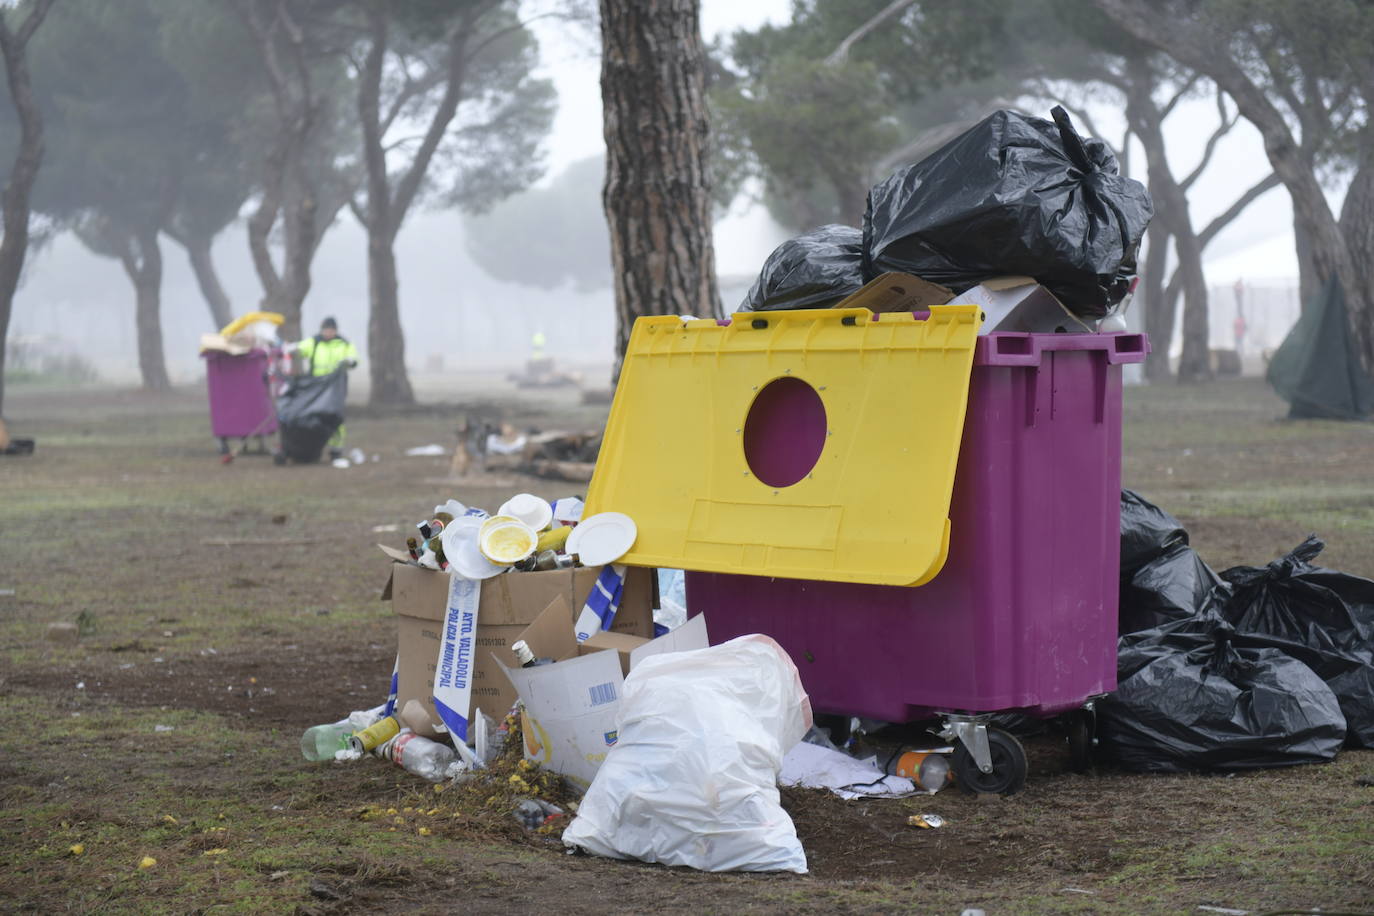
(14, 197)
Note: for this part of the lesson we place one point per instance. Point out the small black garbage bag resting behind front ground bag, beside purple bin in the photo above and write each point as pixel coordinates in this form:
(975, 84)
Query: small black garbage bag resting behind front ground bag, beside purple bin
(1173, 587)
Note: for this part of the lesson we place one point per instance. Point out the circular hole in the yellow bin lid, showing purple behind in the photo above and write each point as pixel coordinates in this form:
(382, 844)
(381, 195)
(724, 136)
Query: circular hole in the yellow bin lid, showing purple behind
(785, 432)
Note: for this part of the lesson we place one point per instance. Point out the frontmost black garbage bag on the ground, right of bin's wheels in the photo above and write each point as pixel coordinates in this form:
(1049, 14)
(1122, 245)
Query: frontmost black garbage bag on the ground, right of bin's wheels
(1192, 698)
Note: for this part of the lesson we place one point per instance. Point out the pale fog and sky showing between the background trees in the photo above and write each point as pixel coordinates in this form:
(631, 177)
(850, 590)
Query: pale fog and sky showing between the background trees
(455, 317)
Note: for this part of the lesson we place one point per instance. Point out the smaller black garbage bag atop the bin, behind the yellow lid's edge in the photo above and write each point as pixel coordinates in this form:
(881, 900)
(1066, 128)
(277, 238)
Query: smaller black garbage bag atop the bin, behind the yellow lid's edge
(813, 271)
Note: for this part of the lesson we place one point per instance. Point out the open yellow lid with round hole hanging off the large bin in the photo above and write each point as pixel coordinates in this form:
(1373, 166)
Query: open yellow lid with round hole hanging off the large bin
(813, 444)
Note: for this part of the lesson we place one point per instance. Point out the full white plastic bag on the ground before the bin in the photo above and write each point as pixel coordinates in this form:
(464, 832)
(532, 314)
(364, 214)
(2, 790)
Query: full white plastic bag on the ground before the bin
(693, 778)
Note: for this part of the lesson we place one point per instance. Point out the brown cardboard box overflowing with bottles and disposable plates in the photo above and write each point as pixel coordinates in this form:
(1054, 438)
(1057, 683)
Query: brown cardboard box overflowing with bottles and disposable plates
(509, 605)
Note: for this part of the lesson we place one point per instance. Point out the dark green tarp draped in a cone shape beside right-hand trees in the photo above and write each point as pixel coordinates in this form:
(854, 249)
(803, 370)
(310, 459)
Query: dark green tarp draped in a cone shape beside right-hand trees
(1317, 369)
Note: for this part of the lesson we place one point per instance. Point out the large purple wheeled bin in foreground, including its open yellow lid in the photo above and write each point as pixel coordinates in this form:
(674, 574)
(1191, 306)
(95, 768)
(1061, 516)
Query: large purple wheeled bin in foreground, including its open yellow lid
(1017, 610)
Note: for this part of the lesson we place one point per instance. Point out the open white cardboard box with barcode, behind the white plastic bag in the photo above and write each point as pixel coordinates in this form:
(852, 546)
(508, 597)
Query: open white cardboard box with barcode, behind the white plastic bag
(572, 707)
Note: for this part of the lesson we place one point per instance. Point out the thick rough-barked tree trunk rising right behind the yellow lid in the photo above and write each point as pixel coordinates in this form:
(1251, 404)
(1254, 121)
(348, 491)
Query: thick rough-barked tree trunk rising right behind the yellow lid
(657, 193)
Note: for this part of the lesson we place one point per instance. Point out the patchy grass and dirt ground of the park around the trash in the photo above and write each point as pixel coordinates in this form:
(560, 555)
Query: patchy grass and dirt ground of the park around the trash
(225, 609)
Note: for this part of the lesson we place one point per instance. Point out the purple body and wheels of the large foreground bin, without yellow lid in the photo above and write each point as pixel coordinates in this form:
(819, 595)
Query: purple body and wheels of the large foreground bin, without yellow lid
(1023, 617)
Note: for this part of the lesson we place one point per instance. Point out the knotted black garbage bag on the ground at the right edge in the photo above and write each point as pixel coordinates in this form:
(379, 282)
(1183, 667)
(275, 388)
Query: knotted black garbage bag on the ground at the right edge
(1329, 615)
